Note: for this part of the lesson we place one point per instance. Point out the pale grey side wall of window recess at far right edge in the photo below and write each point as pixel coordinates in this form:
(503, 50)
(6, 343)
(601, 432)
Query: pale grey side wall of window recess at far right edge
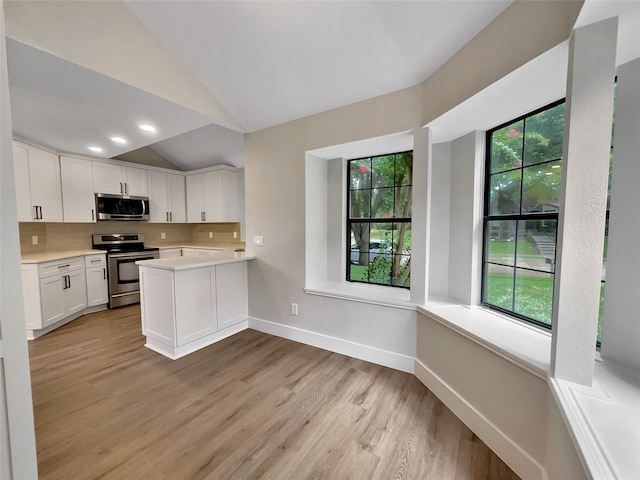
(621, 323)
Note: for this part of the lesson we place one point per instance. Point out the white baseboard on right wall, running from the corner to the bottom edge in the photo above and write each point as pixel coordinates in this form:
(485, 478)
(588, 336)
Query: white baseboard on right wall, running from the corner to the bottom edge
(510, 452)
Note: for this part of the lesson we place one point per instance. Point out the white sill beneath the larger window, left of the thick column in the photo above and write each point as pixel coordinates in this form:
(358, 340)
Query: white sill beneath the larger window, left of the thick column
(526, 346)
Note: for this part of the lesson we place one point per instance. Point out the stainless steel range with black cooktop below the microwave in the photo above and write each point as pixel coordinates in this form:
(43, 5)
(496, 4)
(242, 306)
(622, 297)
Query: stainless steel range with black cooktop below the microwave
(123, 251)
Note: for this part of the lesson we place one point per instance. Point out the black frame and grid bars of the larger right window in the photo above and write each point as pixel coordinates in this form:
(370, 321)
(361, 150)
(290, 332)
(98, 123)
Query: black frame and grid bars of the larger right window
(520, 217)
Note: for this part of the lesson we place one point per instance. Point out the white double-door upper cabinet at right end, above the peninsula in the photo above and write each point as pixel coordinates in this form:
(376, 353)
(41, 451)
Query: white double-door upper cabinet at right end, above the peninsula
(212, 196)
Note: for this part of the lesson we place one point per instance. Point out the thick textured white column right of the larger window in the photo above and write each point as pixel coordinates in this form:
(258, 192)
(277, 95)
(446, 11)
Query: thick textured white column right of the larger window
(583, 198)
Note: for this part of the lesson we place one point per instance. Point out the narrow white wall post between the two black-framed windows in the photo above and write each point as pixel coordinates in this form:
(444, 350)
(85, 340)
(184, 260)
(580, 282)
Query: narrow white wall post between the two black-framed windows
(421, 218)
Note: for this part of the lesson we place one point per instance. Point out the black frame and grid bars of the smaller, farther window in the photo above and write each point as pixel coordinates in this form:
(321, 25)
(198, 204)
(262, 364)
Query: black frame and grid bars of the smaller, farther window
(369, 220)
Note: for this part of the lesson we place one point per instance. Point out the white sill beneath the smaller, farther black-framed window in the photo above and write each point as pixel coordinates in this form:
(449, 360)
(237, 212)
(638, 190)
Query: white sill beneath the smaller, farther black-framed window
(365, 293)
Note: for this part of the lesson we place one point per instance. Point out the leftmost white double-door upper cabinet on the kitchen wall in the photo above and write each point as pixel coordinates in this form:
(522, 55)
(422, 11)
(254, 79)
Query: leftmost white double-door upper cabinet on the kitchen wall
(38, 190)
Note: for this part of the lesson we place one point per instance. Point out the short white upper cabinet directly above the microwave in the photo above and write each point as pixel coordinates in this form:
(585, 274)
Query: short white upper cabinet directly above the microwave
(118, 179)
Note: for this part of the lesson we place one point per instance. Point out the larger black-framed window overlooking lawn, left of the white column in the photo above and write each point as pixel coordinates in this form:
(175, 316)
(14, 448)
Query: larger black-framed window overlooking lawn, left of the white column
(522, 193)
